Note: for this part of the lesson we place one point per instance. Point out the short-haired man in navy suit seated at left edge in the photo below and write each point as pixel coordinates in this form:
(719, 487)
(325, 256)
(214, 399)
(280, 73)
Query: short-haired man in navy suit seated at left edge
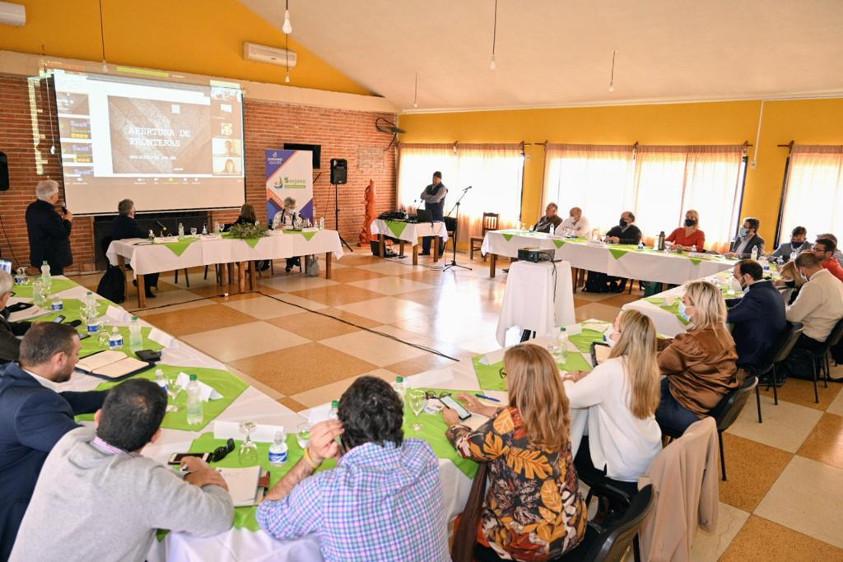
(34, 416)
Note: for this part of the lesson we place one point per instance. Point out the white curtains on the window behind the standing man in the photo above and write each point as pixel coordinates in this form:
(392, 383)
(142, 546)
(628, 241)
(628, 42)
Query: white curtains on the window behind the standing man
(493, 171)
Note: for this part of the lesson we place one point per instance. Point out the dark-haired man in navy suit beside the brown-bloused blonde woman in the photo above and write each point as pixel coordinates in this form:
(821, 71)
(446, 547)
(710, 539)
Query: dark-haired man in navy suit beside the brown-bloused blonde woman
(758, 318)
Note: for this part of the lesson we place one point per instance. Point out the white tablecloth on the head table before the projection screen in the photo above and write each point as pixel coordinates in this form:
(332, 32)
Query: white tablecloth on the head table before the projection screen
(209, 250)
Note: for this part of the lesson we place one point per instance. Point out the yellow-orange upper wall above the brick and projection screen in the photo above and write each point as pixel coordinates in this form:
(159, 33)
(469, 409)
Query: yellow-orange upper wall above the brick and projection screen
(195, 36)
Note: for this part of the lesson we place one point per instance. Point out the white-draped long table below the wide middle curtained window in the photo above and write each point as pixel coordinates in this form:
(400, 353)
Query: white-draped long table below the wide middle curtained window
(620, 260)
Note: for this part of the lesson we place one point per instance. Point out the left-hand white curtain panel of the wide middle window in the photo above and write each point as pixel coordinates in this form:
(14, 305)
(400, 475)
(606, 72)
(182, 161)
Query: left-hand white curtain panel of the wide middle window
(598, 179)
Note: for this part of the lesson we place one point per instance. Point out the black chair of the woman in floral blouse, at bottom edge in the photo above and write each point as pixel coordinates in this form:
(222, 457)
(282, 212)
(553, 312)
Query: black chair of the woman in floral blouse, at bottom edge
(610, 544)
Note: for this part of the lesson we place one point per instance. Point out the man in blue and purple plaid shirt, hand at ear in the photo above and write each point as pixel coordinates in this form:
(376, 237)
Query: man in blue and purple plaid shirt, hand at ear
(383, 501)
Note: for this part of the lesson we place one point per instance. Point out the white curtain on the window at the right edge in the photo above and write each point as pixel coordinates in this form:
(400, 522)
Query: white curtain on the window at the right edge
(814, 191)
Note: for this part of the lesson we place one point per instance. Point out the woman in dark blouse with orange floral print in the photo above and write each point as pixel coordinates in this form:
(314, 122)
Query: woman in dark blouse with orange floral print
(533, 510)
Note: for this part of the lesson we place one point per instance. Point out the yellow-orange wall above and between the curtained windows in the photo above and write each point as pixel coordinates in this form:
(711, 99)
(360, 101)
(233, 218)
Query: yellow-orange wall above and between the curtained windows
(806, 121)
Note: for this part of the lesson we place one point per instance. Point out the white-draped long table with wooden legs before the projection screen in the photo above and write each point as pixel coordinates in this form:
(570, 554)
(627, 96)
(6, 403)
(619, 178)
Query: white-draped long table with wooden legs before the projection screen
(172, 254)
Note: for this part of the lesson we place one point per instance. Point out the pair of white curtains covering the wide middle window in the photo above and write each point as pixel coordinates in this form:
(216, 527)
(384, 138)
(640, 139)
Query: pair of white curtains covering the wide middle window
(657, 183)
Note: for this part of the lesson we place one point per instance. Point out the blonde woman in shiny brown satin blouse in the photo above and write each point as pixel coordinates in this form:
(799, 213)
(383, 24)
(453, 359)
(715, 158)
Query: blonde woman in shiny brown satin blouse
(700, 365)
